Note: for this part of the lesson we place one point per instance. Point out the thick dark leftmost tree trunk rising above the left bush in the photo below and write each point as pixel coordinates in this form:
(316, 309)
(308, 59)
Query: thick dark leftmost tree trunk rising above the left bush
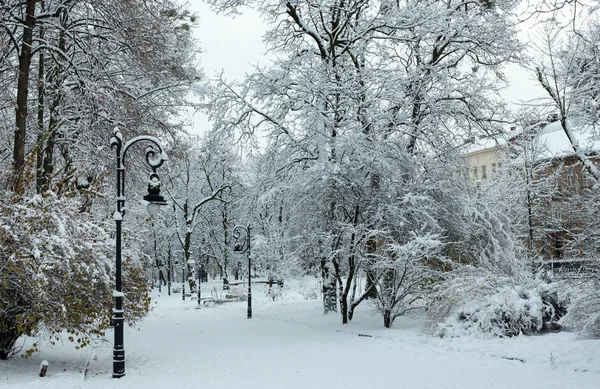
(22, 95)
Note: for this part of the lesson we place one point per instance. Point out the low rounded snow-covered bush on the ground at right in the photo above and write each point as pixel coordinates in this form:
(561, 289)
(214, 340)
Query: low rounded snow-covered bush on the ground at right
(477, 302)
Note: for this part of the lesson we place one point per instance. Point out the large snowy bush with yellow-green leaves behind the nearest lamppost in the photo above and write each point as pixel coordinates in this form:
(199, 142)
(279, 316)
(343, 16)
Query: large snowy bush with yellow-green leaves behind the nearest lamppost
(56, 272)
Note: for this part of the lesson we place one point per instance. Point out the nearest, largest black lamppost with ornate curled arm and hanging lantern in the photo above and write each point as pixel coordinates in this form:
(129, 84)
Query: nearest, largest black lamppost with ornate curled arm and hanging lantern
(155, 157)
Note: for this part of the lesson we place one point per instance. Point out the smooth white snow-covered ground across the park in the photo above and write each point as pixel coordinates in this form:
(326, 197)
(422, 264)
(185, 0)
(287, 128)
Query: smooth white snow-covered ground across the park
(290, 344)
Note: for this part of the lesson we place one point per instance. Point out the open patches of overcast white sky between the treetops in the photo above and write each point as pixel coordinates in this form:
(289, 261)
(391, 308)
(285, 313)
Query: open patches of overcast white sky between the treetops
(234, 45)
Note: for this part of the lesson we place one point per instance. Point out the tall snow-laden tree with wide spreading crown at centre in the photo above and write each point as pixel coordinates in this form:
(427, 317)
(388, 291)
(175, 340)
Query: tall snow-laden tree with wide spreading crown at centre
(355, 84)
